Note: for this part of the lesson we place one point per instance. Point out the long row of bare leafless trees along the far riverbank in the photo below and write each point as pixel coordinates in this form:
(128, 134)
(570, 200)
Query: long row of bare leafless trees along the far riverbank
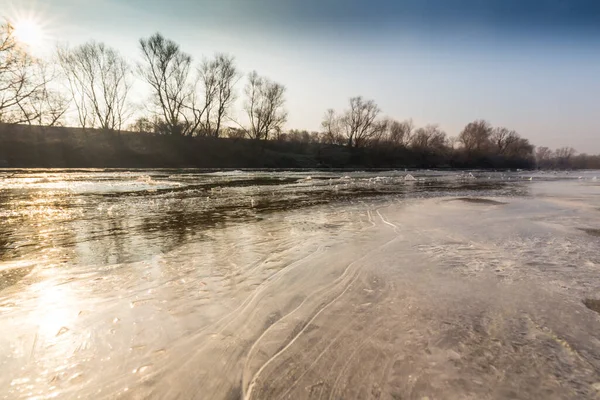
(94, 82)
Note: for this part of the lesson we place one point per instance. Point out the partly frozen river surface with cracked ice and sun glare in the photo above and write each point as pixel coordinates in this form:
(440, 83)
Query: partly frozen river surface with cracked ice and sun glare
(288, 284)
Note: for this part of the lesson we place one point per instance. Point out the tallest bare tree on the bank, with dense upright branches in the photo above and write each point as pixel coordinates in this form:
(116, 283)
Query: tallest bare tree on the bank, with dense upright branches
(167, 69)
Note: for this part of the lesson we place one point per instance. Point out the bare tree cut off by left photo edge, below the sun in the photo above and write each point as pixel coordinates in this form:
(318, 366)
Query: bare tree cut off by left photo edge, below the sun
(25, 96)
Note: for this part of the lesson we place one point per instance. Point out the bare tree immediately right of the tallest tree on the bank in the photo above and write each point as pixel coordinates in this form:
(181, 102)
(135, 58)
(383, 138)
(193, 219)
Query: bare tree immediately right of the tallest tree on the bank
(218, 77)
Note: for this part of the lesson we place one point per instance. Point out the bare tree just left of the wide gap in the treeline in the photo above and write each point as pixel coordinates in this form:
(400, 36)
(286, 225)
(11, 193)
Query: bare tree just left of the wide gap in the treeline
(265, 106)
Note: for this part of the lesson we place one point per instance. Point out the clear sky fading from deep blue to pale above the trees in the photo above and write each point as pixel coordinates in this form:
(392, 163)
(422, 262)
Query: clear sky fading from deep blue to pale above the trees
(532, 66)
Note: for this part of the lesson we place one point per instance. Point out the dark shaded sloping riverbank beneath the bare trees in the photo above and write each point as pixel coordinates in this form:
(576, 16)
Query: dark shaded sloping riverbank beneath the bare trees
(23, 146)
